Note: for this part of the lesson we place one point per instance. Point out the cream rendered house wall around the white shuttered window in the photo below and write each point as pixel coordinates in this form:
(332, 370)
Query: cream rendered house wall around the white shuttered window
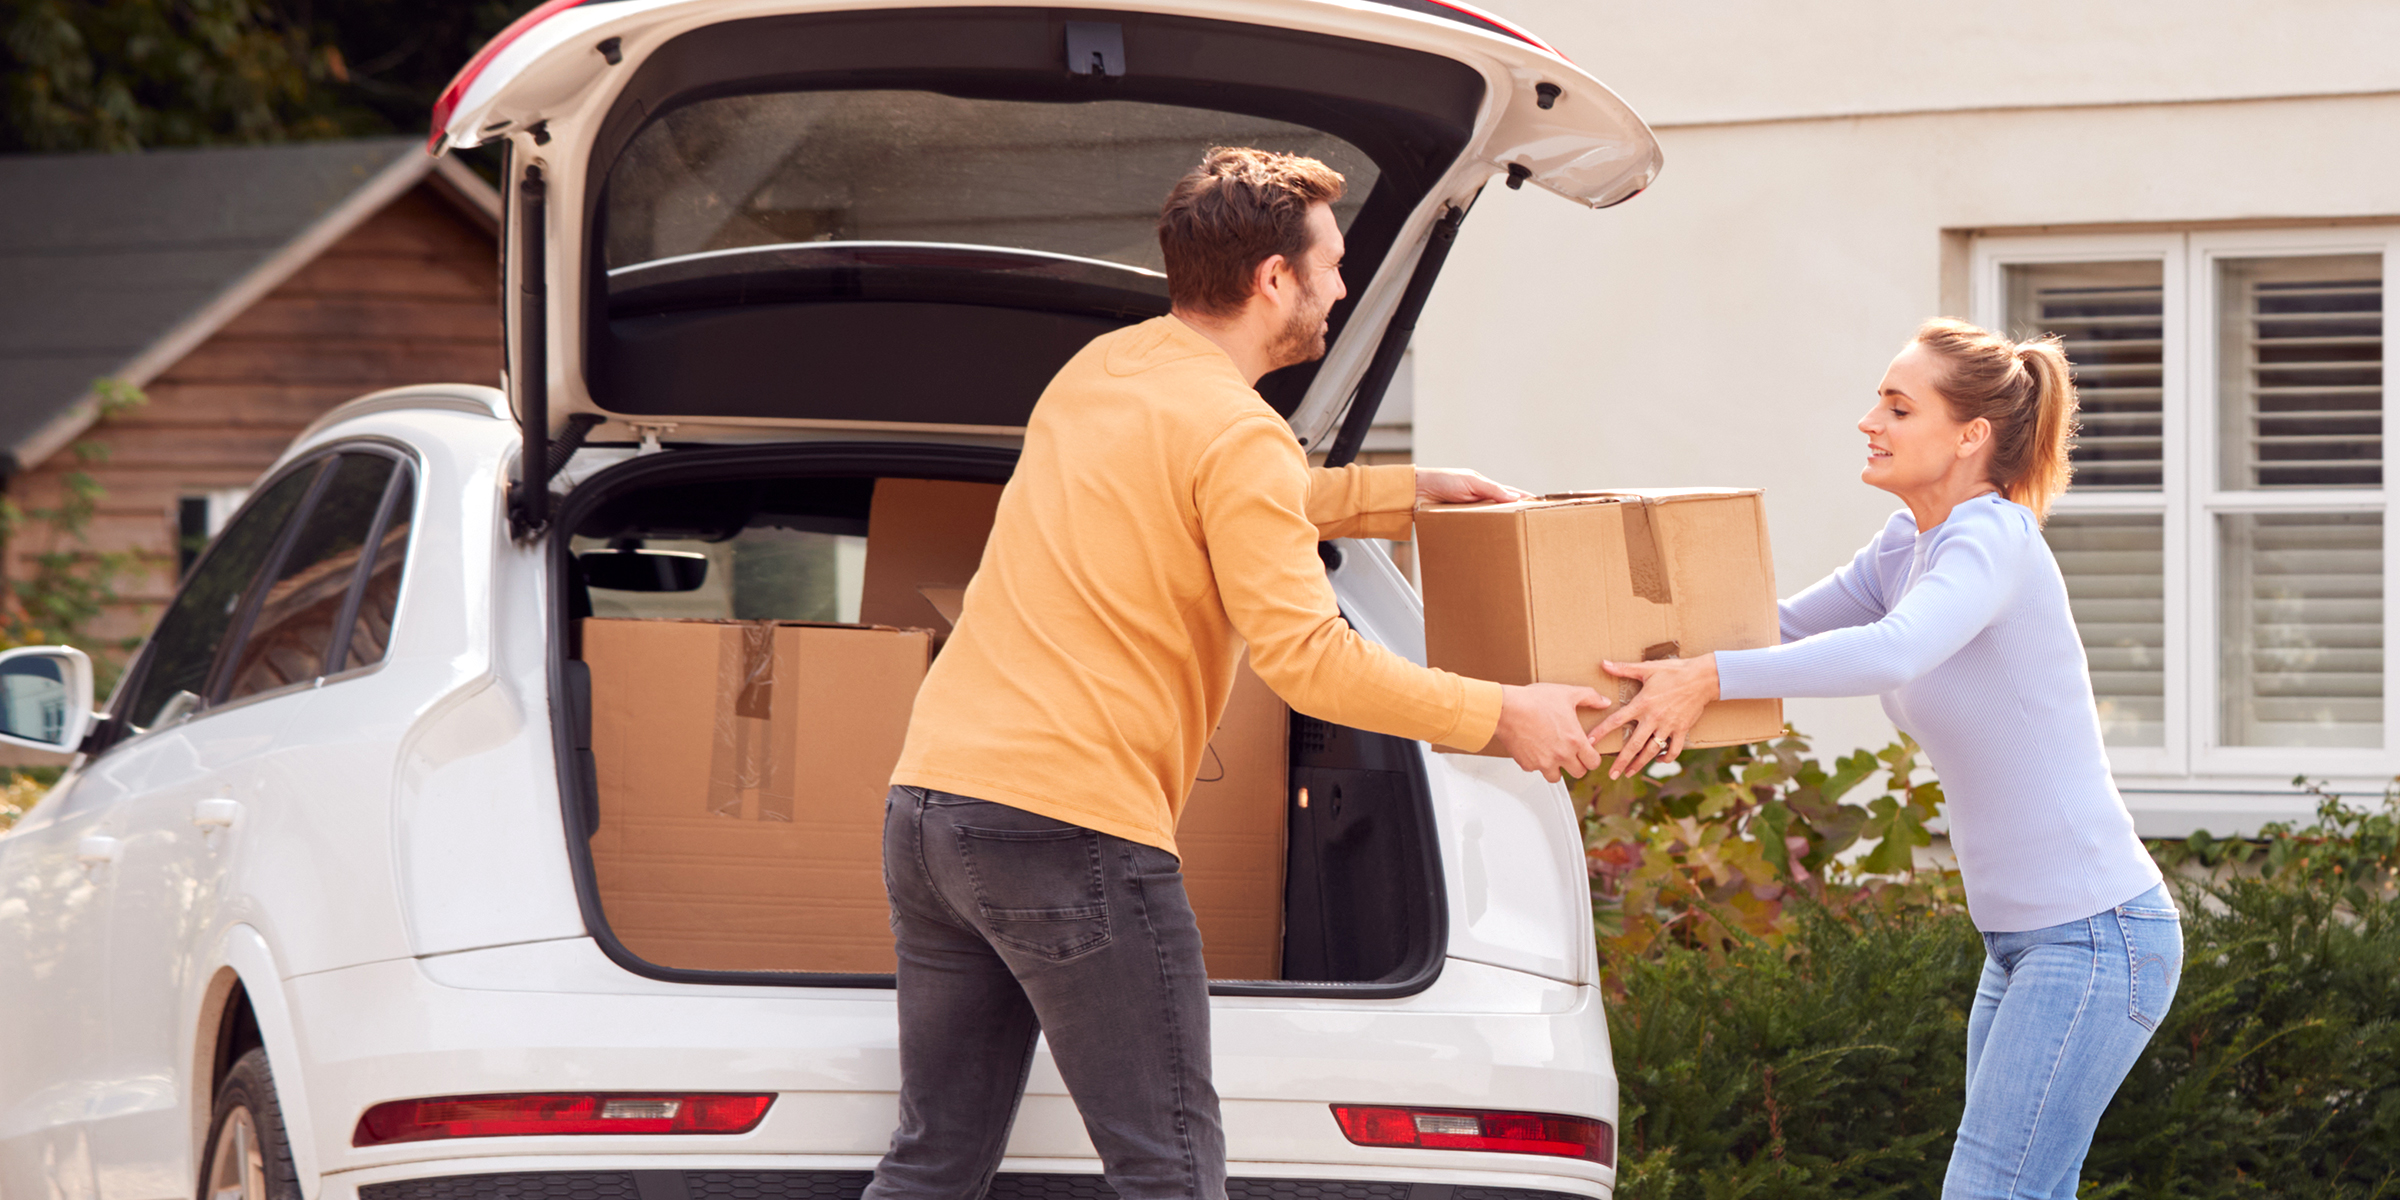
(1825, 174)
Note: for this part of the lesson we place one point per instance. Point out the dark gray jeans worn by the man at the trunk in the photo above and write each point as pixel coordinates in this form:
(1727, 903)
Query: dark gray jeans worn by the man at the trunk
(1014, 925)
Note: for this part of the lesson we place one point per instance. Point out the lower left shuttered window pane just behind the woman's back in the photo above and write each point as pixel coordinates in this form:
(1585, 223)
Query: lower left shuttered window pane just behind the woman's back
(2118, 592)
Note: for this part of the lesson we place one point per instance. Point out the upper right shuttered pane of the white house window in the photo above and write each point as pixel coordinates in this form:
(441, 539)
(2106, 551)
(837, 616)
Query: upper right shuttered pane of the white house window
(2300, 352)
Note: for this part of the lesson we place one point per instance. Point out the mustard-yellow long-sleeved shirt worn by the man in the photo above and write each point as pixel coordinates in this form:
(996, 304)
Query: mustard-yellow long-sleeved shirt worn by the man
(1160, 517)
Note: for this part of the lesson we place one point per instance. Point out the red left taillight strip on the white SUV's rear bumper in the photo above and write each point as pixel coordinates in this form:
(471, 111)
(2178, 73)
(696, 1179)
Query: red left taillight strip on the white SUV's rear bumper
(546, 1115)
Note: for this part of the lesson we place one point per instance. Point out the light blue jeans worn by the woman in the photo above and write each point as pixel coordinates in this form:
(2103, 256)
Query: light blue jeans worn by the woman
(2060, 1019)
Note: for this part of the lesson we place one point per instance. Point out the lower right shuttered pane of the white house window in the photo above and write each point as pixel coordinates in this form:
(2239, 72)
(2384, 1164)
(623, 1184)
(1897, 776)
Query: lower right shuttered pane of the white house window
(2303, 630)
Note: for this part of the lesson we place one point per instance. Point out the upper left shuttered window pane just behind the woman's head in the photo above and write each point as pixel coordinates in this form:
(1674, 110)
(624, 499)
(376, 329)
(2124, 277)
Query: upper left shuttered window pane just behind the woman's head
(2113, 320)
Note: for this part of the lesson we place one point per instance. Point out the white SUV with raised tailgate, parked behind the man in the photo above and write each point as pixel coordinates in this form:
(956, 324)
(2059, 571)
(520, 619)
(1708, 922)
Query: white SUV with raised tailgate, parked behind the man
(318, 913)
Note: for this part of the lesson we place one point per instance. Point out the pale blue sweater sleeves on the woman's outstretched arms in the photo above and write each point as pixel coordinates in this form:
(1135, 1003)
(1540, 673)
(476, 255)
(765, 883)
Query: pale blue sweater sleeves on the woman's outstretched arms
(1969, 577)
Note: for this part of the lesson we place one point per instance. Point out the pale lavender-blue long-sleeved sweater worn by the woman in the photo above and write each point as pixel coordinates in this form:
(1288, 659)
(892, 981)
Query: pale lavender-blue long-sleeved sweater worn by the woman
(1967, 637)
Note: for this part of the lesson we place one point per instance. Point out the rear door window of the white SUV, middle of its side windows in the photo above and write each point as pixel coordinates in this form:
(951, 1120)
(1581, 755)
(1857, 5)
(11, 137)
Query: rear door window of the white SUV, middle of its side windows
(301, 608)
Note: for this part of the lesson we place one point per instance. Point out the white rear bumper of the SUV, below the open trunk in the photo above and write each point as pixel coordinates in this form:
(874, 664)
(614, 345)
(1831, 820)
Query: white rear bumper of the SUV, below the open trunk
(563, 1019)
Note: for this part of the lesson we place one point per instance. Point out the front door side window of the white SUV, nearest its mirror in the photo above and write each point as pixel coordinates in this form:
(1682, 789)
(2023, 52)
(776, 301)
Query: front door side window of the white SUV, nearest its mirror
(184, 649)
